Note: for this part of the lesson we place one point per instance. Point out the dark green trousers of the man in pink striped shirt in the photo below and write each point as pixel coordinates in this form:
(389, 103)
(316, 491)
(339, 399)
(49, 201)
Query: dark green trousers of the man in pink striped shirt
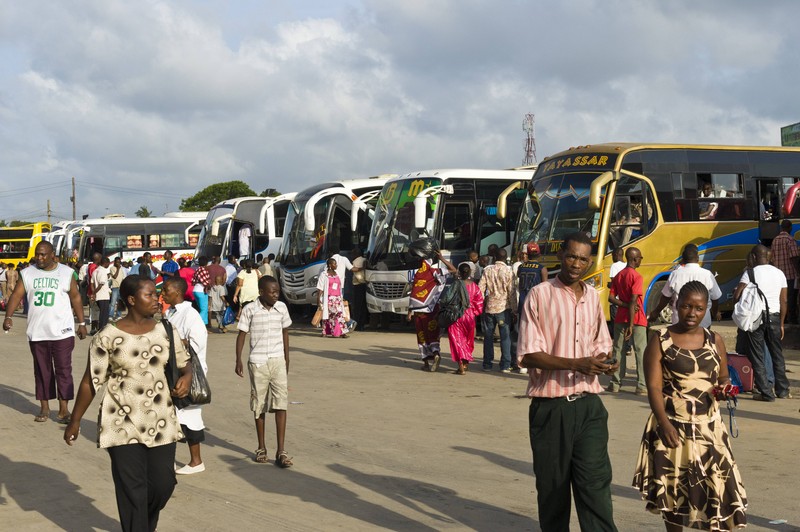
(569, 440)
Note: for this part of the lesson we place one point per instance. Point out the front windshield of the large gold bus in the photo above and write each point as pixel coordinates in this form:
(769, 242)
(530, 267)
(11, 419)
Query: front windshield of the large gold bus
(556, 206)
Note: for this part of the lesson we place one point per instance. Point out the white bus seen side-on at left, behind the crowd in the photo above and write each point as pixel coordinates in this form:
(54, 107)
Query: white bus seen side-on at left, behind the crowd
(130, 238)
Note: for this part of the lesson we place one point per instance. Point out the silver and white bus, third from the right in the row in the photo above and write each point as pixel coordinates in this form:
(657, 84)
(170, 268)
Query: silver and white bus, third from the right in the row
(332, 217)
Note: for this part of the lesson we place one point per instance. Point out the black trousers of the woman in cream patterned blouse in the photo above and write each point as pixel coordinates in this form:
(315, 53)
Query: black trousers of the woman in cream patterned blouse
(144, 478)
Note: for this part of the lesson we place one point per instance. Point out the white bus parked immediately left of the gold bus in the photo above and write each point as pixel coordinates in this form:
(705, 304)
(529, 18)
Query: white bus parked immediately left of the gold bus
(459, 208)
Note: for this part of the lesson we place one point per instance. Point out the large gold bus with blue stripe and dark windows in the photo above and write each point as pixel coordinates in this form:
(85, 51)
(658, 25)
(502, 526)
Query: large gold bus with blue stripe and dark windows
(658, 198)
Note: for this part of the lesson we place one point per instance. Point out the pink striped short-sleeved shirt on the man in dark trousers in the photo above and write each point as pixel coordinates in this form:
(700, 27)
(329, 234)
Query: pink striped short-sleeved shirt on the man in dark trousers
(554, 322)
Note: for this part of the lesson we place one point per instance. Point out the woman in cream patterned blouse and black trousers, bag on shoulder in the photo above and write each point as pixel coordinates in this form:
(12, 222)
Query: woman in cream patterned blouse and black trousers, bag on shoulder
(137, 424)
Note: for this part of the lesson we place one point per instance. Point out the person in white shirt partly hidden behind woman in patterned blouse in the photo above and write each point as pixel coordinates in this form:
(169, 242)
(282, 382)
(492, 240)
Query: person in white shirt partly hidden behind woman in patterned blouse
(189, 326)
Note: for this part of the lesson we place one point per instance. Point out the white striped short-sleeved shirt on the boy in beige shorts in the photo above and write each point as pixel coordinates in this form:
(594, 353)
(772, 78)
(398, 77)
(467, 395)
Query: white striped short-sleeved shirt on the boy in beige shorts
(266, 329)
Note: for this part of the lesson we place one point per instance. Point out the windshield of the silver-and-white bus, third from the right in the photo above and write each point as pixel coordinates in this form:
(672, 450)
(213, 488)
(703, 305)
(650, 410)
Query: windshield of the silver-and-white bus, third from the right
(301, 247)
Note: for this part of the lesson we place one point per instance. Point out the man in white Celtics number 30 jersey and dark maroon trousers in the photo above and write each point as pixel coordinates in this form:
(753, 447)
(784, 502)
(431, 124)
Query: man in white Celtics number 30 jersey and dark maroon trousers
(51, 291)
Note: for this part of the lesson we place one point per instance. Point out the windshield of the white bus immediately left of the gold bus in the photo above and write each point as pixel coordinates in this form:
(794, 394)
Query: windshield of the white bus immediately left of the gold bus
(393, 227)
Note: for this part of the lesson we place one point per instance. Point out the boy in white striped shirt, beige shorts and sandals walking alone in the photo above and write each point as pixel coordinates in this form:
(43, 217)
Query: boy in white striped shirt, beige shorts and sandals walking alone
(267, 320)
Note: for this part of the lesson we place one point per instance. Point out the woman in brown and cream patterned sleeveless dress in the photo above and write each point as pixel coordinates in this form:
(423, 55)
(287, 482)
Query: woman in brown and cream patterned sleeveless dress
(686, 468)
